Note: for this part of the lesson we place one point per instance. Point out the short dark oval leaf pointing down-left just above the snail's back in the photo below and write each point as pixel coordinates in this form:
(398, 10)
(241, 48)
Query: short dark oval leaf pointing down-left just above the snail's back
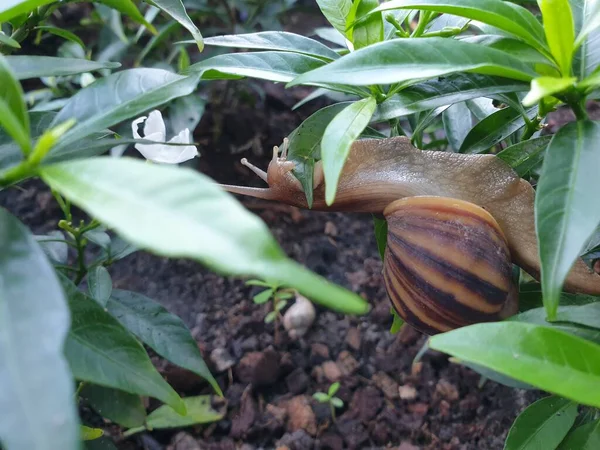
(494, 129)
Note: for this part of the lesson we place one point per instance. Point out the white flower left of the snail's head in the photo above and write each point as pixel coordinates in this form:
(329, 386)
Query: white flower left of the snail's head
(154, 130)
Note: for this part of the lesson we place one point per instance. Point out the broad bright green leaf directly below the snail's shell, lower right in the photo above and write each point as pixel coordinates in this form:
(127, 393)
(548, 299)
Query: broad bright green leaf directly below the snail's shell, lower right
(537, 355)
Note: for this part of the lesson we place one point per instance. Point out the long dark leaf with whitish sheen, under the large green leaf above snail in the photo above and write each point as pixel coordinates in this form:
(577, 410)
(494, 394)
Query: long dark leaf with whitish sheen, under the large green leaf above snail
(444, 91)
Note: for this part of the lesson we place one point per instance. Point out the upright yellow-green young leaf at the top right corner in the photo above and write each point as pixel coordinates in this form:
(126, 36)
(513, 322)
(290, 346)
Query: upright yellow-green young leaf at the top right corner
(560, 32)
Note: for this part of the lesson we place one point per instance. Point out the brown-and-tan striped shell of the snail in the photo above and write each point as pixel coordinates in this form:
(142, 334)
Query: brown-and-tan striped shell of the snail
(447, 264)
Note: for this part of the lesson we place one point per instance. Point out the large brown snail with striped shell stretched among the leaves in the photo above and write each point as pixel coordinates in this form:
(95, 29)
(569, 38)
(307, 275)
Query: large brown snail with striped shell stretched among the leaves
(456, 224)
